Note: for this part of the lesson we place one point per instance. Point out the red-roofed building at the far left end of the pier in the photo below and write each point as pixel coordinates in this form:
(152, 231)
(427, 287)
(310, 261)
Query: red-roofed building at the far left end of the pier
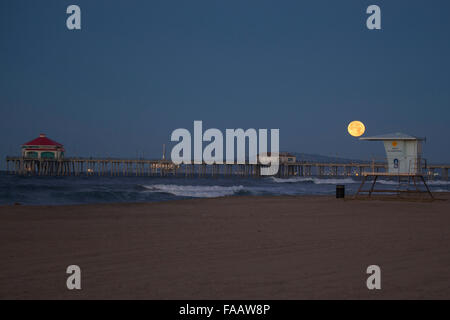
(42, 148)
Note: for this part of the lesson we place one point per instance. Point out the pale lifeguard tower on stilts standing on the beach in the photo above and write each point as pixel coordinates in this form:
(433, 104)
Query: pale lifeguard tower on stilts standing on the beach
(404, 161)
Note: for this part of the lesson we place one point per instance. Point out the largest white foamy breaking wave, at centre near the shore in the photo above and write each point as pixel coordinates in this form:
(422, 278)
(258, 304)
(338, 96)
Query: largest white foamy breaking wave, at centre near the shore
(194, 191)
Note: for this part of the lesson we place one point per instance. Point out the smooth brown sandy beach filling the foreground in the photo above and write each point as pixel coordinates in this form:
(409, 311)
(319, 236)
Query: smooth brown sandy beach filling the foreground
(228, 248)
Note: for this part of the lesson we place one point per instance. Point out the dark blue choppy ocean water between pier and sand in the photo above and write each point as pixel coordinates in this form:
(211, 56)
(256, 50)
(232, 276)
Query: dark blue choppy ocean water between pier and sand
(82, 190)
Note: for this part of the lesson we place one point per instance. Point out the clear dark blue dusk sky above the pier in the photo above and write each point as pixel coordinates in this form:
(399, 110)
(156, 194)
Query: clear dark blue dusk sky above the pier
(137, 70)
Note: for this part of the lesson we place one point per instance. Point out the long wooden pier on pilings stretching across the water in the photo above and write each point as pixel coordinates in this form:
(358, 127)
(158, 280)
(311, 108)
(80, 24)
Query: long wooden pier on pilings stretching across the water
(141, 167)
